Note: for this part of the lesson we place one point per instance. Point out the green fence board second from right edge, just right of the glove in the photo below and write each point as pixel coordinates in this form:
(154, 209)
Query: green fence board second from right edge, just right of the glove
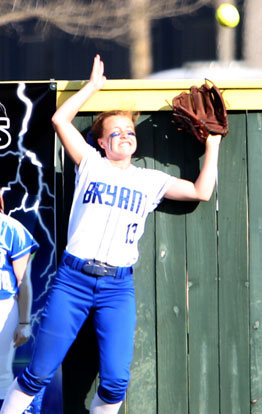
(233, 271)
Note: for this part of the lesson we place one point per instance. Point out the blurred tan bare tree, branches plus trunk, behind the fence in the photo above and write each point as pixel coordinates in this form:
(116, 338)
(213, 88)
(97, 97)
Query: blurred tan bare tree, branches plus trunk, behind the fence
(126, 21)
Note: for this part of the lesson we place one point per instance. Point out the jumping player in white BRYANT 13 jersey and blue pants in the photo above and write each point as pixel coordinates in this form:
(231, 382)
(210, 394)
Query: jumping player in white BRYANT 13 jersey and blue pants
(111, 201)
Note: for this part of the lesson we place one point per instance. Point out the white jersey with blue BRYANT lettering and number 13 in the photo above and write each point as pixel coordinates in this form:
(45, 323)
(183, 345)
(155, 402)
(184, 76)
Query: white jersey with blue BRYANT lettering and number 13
(110, 207)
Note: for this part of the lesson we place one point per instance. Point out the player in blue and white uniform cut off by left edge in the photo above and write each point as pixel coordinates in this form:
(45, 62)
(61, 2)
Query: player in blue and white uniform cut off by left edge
(16, 246)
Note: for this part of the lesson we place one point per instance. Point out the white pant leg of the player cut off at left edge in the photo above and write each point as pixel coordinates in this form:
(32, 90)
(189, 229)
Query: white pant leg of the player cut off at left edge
(9, 318)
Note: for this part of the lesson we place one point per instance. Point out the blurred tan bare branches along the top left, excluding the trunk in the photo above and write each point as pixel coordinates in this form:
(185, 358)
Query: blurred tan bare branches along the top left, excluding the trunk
(105, 19)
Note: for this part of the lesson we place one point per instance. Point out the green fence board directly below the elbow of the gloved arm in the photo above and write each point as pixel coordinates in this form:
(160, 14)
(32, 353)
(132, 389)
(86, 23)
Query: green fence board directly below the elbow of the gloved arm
(203, 310)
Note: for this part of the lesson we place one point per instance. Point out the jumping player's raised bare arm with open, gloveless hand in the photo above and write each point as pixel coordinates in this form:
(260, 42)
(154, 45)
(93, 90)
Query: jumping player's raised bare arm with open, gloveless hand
(70, 137)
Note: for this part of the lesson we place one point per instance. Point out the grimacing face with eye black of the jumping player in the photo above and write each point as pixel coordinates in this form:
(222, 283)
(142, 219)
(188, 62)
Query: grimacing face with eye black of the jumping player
(119, 138)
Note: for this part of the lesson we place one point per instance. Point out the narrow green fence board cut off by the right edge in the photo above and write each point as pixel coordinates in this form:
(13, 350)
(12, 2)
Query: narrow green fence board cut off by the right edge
(254, 125)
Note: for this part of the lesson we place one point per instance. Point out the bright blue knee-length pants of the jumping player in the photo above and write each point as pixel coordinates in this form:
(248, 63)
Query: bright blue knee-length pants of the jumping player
(69, 302)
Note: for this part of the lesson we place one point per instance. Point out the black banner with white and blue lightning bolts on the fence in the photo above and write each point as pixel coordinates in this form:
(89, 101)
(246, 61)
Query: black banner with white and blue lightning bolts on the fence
(27, 179)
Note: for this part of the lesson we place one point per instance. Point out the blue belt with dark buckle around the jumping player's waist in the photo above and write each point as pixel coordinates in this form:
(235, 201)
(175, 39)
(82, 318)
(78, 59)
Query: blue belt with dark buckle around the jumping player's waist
(94, 267)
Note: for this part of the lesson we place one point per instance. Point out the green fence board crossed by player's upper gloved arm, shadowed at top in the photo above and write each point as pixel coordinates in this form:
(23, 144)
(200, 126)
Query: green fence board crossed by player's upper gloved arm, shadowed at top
(171, 278)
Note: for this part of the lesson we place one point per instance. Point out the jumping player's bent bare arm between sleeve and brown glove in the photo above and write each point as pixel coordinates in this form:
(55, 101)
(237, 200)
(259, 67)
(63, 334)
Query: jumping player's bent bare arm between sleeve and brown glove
(203, 188)
